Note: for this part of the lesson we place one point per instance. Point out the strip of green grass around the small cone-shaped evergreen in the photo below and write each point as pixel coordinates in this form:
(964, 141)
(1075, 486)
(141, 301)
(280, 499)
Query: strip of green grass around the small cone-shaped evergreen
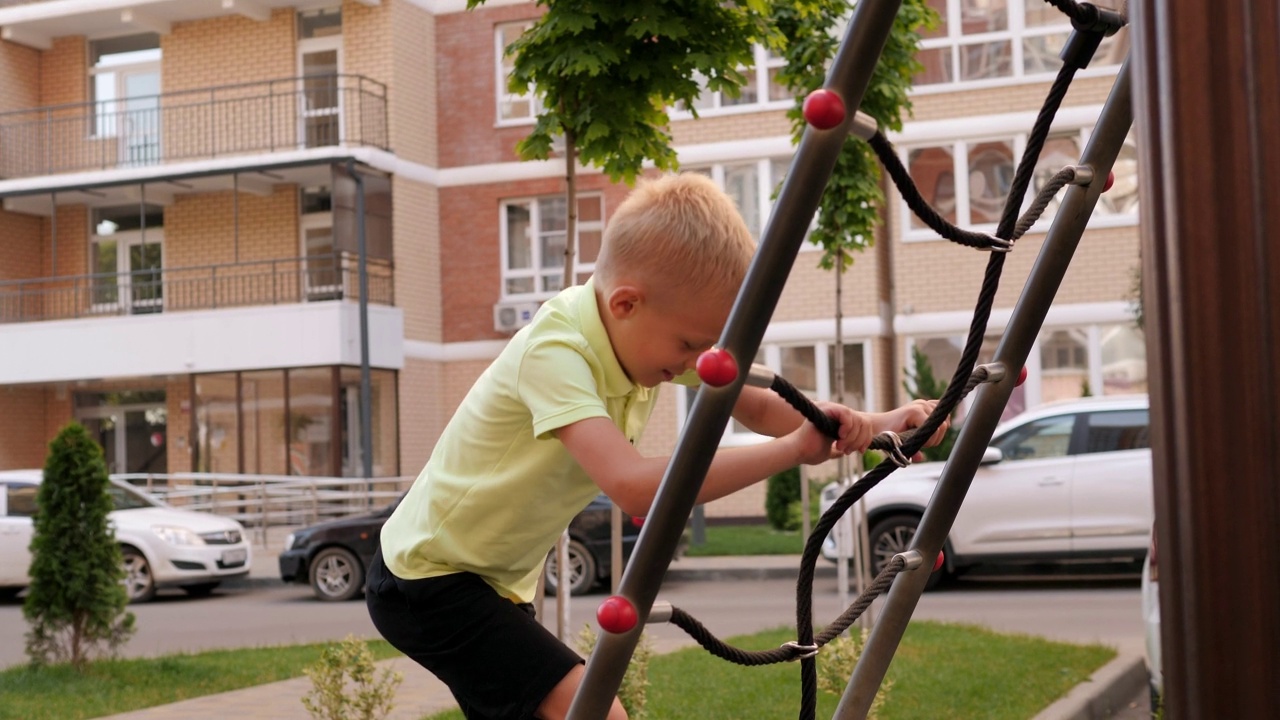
(120, 686)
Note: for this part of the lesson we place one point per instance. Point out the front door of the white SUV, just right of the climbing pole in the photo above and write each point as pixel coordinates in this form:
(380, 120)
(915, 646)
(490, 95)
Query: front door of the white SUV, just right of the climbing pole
(1022, 504)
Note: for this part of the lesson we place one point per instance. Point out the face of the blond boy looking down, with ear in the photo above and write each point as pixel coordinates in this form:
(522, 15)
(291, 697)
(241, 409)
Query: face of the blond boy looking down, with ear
(660, 336)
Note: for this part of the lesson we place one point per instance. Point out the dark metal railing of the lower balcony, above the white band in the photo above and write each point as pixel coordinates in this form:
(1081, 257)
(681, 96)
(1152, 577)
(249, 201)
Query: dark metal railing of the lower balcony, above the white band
(167, 290)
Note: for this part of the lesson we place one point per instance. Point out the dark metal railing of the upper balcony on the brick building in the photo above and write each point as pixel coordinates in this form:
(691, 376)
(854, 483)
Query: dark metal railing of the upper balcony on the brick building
(194, 125)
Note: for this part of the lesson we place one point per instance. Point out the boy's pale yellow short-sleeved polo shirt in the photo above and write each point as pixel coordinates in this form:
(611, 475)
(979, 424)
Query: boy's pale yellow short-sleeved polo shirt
(500, 489)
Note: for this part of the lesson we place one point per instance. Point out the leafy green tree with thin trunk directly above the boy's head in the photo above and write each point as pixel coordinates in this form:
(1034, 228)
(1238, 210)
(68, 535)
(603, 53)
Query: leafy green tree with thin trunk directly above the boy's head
(607, 71)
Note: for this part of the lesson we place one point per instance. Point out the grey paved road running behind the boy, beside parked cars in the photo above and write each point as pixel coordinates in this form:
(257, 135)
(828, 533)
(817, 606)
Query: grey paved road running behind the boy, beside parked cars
(1071, 610)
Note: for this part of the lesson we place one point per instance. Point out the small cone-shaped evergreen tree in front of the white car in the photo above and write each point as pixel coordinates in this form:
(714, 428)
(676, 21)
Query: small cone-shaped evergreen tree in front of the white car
(76, 600)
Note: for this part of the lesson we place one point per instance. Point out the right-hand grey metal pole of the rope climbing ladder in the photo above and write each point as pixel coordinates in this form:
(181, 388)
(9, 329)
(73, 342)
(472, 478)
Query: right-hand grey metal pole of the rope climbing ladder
(1025, 326)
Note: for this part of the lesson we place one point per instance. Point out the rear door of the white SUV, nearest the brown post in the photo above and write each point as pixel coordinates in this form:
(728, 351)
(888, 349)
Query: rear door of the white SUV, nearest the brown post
(1112, 499)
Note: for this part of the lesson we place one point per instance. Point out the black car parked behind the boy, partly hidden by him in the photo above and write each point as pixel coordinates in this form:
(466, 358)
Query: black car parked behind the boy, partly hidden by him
(332, 557)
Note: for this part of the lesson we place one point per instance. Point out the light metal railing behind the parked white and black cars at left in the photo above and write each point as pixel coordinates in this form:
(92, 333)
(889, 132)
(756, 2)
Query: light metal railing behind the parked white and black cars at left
(262, 503)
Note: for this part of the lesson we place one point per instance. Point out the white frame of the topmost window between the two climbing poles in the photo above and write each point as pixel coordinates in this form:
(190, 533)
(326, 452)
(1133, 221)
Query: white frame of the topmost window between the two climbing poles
(1016, 33)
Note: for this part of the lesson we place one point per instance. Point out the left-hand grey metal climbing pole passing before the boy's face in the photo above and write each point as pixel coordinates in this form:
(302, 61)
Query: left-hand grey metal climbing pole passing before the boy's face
(802, 192)
